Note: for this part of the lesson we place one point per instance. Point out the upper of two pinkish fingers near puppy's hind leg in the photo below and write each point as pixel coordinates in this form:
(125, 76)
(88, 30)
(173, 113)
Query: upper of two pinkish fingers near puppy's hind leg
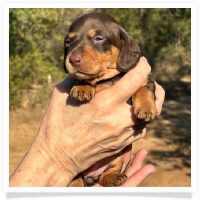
(137, 162)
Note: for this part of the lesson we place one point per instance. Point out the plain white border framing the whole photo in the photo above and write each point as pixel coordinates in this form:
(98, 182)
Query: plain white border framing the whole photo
(93, 4)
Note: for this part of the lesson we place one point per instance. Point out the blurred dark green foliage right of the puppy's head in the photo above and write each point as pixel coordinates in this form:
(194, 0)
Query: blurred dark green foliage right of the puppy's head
(163, 32)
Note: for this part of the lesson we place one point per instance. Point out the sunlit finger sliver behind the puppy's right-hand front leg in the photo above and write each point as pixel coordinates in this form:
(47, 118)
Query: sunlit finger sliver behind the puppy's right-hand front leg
(160, 96)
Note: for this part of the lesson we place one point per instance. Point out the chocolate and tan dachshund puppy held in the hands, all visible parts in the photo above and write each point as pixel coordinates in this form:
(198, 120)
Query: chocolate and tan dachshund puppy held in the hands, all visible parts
(98, 51)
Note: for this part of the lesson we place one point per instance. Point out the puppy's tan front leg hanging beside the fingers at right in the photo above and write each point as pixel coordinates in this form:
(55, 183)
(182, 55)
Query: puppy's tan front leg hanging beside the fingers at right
(144, 100)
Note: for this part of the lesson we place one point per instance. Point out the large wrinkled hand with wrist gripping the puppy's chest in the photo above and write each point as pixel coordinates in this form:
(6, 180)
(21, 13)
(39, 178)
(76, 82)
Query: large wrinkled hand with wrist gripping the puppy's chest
(73, 135)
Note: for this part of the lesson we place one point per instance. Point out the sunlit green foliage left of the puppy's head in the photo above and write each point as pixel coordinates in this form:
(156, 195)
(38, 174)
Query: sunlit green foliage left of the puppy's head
(36, 47)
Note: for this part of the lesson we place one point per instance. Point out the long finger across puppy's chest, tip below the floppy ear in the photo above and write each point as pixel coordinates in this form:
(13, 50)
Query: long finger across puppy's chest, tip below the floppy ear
(130, 82)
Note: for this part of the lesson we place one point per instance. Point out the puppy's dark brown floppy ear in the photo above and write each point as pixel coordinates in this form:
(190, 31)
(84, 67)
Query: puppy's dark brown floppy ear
(130, 52)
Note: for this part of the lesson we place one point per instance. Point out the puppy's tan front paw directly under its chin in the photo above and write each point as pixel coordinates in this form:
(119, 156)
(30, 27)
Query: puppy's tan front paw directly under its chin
(82, 92)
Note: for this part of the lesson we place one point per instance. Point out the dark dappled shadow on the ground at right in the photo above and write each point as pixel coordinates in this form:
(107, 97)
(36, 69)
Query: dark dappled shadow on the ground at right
(174, 128)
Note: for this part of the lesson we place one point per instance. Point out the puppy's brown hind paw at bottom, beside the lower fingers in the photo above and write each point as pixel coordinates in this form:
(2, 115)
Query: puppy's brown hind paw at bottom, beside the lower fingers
(112, 179)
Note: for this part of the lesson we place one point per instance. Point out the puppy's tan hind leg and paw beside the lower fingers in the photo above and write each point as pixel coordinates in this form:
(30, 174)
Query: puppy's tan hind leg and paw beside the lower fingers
(112, 177)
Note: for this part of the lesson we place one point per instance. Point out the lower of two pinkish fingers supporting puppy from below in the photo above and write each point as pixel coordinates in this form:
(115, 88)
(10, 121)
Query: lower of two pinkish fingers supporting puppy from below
(136, 178)
